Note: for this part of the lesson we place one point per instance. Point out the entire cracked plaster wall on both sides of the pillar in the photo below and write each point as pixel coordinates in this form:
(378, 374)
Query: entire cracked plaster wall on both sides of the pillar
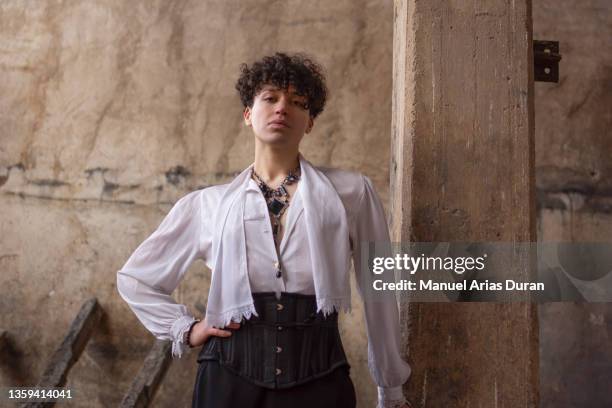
(109, 112)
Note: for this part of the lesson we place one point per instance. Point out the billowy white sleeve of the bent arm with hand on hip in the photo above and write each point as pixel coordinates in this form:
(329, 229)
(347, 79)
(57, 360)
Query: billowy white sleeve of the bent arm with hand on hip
(157, 266)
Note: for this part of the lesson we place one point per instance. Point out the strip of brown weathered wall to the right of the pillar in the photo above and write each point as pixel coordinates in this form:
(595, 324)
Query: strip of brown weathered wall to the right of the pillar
(574, 180)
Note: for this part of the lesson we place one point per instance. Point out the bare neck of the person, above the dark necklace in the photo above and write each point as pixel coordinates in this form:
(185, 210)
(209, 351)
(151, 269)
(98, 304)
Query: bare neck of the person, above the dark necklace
(273, 165)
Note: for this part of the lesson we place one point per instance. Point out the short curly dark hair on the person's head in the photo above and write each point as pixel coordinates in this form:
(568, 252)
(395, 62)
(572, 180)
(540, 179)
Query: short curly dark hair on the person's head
(283, 70)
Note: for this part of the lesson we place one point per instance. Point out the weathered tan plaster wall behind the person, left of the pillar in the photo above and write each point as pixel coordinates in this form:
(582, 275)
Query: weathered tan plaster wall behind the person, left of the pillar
(110, 111)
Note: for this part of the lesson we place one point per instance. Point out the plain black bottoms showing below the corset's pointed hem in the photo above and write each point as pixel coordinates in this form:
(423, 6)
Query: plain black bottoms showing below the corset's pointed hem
(217, 387)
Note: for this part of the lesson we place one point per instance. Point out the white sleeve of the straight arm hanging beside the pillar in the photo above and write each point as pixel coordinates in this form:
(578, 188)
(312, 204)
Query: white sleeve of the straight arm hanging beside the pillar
(387, 367)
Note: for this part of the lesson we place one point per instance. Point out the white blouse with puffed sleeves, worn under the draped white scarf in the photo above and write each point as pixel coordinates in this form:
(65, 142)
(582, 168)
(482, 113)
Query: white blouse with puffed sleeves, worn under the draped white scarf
(157, 266)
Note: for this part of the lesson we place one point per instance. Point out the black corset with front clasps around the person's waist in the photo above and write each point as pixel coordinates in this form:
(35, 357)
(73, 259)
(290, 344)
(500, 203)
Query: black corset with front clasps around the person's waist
(288, 344)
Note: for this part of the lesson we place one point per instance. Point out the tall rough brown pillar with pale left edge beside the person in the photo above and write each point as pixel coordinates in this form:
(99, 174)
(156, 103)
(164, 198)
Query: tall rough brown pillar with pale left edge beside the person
(462, 170)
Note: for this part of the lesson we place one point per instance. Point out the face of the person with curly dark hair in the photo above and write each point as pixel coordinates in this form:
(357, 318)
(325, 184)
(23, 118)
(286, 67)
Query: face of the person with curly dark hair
(279, 116)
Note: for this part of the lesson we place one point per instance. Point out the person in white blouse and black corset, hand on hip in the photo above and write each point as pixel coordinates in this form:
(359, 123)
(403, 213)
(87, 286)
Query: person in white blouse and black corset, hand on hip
(279, 240)
